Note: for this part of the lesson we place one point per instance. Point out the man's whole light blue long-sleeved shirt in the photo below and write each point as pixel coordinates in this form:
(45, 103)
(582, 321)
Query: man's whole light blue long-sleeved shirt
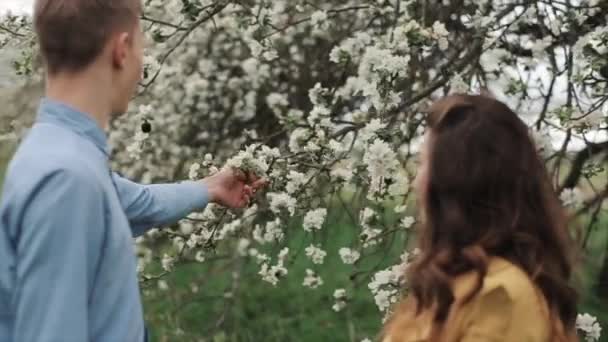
(67, 260)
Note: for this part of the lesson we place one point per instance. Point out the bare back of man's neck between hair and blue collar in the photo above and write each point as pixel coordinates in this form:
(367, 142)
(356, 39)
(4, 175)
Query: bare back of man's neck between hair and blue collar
(82, 92)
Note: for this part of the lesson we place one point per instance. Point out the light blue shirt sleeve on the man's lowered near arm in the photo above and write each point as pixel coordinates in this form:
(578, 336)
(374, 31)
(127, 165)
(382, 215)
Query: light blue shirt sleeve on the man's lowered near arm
(52, 280)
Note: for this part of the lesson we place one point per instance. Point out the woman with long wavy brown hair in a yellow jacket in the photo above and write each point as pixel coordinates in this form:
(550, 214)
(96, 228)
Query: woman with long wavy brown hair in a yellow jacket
(496, 256)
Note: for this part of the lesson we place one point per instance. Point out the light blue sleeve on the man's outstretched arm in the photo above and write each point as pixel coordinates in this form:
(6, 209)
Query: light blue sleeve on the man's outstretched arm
(148, 206)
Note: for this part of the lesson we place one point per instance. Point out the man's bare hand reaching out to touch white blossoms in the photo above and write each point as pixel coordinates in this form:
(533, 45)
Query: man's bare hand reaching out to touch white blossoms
(231, 188)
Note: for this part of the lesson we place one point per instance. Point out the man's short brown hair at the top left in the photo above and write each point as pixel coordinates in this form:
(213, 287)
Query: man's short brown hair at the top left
(72, 33)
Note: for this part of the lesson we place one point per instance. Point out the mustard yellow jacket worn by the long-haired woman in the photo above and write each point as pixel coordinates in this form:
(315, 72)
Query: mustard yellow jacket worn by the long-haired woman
(508, 308)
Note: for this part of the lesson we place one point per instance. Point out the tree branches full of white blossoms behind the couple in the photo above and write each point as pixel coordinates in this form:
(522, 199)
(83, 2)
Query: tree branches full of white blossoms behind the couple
(326, 100)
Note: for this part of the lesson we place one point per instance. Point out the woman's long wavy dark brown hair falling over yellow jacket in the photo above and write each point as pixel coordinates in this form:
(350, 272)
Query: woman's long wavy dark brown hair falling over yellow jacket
(487, 193)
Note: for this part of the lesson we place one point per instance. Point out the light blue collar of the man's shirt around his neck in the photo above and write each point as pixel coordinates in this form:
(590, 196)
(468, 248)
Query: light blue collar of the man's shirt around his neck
(58, 113)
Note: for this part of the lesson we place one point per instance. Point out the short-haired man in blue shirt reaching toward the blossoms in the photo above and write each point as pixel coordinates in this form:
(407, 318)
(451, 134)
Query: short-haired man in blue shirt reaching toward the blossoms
(67, 261)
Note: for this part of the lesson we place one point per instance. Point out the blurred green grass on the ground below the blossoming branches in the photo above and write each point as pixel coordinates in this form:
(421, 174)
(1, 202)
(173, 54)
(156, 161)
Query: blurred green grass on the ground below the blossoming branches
(290, 312)
